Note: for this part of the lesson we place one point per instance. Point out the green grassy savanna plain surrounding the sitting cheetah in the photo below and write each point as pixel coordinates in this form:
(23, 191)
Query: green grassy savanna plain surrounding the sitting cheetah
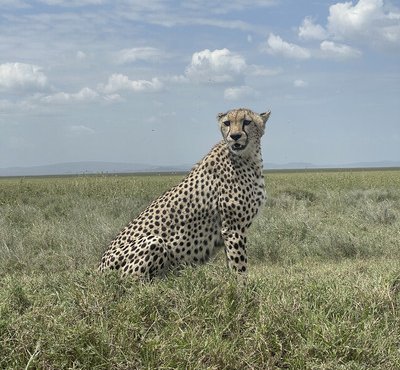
(323, 290)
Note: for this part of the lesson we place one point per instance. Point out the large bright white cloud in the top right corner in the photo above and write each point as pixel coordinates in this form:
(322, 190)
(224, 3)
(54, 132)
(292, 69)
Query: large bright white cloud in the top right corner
(367, 20)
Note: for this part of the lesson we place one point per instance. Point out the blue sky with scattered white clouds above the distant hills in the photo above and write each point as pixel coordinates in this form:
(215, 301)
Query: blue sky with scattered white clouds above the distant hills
(142, 81)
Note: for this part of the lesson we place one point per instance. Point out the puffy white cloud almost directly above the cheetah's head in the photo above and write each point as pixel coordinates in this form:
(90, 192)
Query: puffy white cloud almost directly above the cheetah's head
(215, 66)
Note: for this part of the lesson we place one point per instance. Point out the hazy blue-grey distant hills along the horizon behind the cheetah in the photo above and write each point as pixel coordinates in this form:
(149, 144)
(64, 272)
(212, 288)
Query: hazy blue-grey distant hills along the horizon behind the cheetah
(74, 168)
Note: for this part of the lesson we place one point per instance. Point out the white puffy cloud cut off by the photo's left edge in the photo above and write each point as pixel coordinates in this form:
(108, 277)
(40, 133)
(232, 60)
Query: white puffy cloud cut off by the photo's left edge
(21, 76)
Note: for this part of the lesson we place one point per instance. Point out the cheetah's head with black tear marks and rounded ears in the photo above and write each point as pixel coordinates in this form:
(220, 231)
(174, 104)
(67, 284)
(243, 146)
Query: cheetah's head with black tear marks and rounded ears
(242, 128)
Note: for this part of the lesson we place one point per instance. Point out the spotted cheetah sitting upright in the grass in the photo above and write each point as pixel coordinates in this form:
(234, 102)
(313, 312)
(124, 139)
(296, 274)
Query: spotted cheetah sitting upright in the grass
(212, 206)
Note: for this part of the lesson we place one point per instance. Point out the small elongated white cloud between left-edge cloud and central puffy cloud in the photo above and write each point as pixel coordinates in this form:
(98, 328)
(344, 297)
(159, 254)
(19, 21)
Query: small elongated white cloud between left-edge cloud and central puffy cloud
(117, 82)
